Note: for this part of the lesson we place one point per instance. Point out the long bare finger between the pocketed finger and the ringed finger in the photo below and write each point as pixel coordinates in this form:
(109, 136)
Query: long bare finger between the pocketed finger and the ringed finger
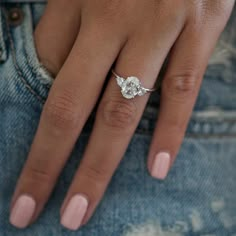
(70, 101)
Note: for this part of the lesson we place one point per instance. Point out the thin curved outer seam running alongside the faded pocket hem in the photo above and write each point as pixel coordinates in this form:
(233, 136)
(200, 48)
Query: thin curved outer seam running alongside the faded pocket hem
(18, 70)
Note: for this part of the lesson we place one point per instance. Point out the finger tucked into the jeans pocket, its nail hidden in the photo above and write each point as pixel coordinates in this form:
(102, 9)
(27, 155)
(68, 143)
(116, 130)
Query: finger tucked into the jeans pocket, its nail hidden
(58, 20)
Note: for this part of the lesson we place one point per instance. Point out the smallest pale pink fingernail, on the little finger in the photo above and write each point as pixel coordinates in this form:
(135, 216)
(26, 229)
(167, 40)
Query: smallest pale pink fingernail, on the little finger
(161, 165)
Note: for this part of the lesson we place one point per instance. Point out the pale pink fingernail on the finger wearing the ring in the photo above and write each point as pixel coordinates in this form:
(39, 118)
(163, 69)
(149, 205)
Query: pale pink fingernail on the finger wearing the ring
(74, 212)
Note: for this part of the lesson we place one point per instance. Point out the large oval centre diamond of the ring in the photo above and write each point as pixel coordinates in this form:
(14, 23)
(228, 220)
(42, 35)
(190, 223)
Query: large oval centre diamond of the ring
(130, 87)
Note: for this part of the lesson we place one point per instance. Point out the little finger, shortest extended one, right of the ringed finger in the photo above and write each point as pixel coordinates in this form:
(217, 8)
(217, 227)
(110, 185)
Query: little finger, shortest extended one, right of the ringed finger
(187, 63)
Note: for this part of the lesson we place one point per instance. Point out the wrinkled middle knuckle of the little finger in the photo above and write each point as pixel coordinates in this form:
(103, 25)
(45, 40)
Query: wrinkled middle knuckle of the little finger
(180, 87)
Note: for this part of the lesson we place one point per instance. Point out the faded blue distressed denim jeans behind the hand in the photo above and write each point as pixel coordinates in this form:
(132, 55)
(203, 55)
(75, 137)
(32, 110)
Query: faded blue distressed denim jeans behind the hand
(198, 198)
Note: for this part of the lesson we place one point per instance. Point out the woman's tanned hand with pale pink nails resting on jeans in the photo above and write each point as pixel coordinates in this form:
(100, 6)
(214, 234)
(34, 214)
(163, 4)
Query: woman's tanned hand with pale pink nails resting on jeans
(78, 41)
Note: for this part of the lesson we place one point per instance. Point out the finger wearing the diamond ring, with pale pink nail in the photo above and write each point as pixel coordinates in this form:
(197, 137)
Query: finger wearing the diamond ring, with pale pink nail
(115, 123)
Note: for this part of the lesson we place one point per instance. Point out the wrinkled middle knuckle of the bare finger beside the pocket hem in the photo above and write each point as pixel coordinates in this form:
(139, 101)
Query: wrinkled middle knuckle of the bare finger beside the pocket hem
(60, 111)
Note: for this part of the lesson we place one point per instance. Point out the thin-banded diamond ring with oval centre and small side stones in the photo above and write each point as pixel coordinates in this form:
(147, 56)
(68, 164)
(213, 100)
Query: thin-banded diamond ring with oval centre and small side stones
(131, 86)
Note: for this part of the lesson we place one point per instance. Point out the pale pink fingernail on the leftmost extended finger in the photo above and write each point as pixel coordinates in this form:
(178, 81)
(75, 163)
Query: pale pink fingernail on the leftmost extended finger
(22, 211)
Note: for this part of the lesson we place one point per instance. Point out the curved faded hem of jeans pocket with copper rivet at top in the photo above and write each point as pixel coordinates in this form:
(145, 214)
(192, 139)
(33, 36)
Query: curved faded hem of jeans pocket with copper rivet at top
(20, 22)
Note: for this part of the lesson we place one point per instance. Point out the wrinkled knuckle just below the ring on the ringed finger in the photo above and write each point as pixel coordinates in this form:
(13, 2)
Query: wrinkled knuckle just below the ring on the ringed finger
(119, 114)
